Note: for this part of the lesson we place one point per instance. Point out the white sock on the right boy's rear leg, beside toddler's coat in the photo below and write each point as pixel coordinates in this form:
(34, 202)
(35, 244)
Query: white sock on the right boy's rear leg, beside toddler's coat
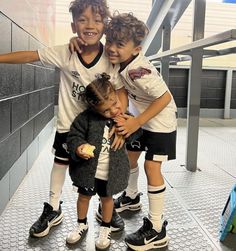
(132, 188)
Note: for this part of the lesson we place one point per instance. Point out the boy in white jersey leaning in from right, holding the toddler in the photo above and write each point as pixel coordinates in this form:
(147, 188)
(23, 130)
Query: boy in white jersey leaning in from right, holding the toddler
(155, 112)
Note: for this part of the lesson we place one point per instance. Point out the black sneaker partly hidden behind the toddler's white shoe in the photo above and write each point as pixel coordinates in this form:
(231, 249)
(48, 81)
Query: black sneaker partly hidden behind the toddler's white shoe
(117, 223)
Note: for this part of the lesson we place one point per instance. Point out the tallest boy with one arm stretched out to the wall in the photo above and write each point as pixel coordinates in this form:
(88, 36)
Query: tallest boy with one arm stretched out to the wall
(89, 18)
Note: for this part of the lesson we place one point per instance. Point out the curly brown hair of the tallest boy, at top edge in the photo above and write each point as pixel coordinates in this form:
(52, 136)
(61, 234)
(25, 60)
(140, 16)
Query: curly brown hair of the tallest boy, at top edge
(77, 7)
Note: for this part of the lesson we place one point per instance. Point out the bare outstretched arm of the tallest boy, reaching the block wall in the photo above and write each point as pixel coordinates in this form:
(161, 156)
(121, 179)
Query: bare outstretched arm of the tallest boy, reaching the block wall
(19, 57)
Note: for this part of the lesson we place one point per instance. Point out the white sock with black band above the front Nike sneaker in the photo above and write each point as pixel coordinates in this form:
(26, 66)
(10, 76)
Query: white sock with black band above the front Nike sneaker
(156, 205)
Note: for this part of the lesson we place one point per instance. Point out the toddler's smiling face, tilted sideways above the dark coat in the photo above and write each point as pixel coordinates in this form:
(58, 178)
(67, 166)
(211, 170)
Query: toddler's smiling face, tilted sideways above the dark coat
(111, 107)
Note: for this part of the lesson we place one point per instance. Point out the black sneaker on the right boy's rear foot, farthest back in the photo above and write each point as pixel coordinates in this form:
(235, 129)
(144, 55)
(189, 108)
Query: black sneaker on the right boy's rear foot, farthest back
(124, 202)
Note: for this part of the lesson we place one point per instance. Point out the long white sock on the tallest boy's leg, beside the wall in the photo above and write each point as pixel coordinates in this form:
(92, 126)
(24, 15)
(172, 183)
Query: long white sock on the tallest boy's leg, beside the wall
(58, 175)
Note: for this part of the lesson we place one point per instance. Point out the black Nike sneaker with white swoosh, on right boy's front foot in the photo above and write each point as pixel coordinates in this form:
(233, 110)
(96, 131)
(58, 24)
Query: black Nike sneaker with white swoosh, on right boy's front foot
(147, 238)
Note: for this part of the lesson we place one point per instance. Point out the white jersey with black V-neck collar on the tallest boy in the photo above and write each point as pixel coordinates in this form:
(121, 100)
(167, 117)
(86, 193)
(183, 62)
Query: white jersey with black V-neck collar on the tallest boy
(75, 75)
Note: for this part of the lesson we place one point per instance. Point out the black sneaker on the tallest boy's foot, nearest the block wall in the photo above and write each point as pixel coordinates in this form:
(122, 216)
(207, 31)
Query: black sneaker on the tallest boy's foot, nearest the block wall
(47, 219)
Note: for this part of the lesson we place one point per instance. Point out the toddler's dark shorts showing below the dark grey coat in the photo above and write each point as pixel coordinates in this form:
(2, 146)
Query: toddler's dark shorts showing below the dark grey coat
(100, 189)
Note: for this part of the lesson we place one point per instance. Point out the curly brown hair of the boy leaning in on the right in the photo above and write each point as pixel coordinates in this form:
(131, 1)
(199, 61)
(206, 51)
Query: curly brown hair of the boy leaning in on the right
(125, 27)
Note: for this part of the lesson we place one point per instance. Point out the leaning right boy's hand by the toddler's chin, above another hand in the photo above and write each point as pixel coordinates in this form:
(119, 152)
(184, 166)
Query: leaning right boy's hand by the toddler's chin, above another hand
(127, 125)
